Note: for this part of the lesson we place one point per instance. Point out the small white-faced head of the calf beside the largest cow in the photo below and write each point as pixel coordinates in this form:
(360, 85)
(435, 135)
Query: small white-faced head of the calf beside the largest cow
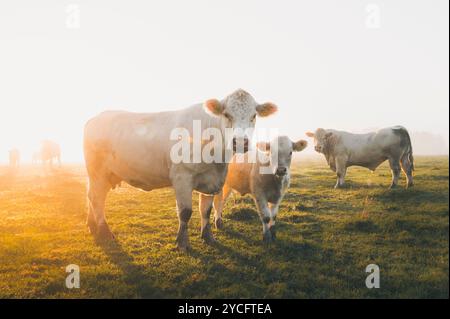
(280, 150)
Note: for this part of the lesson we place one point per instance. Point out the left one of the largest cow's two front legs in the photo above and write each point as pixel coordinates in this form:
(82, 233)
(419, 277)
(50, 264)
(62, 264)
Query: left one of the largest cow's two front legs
(183, 194)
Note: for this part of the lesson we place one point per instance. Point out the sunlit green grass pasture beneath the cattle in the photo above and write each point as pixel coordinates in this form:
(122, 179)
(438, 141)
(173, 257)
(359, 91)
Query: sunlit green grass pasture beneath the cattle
(326, 238)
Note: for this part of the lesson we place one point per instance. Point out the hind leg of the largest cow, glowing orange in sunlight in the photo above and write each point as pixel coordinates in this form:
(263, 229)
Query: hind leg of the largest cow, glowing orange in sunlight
(98, 189)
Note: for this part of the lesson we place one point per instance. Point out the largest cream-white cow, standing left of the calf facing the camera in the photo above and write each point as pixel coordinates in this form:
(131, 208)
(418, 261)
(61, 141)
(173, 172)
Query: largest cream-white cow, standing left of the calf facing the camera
(136, 148)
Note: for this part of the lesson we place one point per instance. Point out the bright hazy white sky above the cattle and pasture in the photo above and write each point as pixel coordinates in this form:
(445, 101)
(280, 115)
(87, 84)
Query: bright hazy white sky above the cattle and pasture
(344, 64)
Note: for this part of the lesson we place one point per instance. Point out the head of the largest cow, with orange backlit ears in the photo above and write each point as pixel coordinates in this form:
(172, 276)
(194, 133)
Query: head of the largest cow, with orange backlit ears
(238, 111)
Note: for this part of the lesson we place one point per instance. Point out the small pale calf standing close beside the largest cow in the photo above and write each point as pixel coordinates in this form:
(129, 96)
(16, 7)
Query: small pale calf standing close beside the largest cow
(266, 188)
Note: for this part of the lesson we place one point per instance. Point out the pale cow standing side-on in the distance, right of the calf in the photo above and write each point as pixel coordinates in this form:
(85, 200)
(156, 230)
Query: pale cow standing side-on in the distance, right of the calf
(343, 149)
